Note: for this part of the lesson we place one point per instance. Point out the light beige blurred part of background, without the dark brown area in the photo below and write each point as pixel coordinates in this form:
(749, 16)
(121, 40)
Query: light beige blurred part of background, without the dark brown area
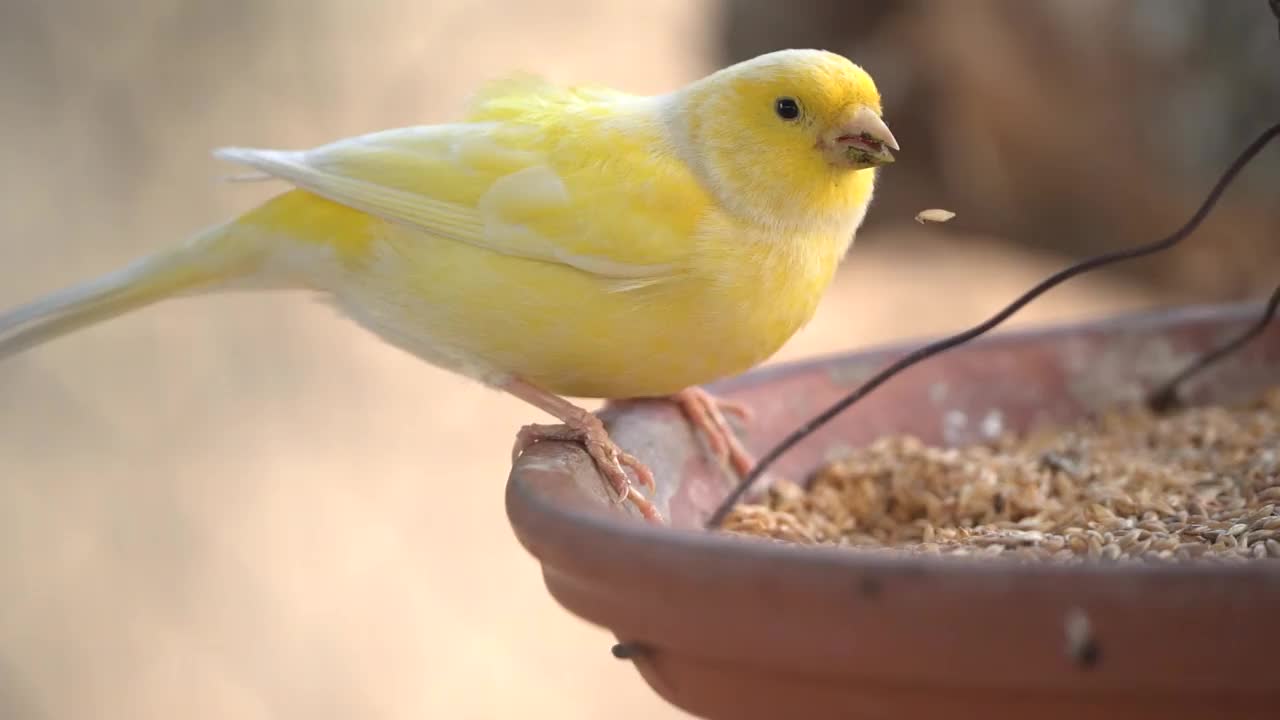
(244, 507)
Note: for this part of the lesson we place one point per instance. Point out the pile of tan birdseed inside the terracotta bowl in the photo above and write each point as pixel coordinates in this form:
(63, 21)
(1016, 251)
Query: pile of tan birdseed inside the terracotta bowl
(1132, 485)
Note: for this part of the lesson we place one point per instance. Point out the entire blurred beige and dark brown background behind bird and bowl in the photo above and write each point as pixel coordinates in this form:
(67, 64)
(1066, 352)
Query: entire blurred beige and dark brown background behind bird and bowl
(244, 507)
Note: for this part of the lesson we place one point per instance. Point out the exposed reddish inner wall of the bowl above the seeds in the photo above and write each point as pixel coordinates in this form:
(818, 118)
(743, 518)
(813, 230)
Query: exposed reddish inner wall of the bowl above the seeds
(1013, 382)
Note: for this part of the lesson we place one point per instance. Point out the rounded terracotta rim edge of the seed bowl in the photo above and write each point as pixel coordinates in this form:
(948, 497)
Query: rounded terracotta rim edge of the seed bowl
(560, 528)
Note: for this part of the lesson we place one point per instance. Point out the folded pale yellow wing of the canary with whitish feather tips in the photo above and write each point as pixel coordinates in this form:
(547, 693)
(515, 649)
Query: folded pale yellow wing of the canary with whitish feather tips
(510, 188)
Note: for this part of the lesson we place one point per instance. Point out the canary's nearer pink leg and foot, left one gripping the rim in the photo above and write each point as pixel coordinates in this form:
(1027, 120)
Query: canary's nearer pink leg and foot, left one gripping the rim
(587, 429)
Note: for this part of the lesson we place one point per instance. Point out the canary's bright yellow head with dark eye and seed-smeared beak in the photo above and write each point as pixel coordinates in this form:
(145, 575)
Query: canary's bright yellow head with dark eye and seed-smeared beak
(802, 126)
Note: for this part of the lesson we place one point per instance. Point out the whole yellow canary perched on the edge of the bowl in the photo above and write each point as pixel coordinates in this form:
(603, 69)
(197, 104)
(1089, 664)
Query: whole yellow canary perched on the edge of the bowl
(559, 241)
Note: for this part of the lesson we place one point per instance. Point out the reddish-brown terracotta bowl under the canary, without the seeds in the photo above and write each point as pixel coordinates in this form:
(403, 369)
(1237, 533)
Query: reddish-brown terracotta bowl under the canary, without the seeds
(733, 628)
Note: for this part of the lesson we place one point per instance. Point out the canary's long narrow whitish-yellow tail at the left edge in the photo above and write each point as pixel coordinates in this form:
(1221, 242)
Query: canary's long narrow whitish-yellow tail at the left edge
(204, 263)
